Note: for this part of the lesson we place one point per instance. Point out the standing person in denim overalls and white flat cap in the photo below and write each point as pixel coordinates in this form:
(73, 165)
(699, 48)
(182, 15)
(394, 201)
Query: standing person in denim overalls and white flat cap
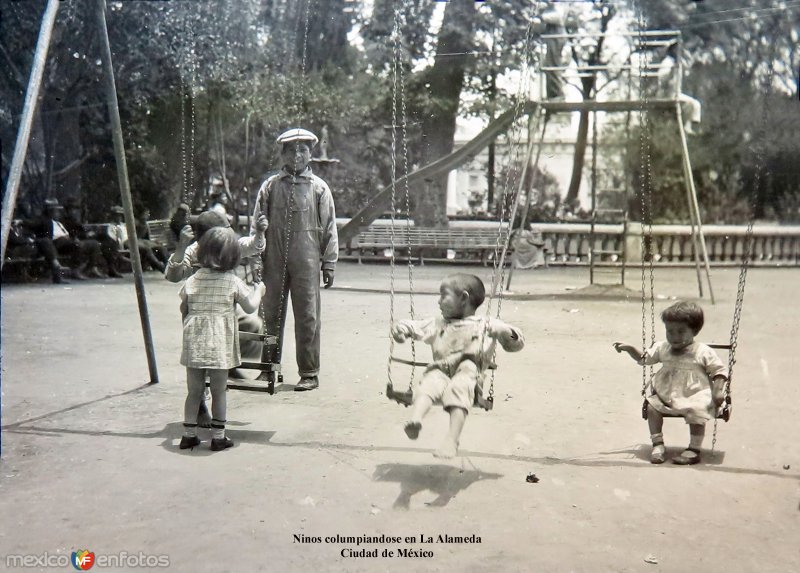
(301, 241)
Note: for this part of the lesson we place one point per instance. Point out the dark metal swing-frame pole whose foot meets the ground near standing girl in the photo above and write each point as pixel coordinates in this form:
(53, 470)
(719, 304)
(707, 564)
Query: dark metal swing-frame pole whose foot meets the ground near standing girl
(124, 184)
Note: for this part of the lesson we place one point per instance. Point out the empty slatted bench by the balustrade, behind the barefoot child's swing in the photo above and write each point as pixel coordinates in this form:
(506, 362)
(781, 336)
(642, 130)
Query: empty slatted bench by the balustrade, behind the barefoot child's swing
(416, 241)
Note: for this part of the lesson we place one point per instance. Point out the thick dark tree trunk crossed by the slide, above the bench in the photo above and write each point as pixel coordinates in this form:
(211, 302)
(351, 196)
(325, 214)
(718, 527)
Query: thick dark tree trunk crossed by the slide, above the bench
(445, 80)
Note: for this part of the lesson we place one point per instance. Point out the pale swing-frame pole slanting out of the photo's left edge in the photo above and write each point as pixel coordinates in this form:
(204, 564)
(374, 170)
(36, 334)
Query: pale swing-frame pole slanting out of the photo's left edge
(26, 122)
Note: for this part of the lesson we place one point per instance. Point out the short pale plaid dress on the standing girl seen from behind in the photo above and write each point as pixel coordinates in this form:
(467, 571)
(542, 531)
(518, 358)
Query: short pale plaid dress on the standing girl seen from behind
(210, 329)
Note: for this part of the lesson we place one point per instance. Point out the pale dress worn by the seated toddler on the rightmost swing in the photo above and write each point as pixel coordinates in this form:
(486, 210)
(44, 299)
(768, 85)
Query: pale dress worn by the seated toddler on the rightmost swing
(683, 385)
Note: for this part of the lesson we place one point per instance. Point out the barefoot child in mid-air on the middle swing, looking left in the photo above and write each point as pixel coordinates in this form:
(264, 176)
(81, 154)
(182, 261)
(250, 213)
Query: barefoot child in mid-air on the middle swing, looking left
(463, 346)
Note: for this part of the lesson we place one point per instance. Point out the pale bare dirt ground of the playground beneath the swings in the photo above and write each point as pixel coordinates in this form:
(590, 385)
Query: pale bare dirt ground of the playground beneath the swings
(90, 456)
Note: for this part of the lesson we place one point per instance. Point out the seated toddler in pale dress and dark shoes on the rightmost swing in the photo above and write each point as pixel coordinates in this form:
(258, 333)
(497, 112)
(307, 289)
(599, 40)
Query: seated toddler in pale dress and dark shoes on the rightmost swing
(690, 384)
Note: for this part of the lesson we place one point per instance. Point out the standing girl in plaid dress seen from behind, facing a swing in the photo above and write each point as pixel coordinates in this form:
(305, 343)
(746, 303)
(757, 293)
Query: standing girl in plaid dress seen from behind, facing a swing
(210, 332)
